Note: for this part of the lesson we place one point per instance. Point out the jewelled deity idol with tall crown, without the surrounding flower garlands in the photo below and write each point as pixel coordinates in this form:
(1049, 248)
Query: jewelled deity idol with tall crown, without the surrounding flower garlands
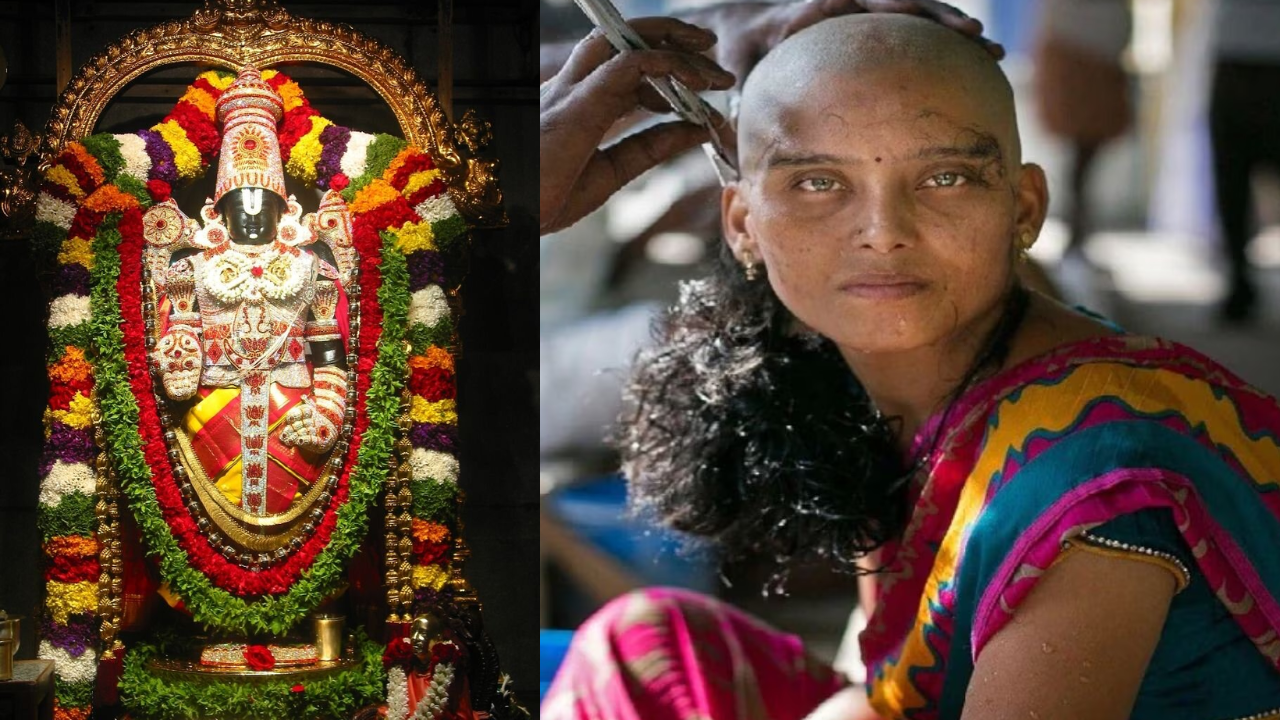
(252, 325)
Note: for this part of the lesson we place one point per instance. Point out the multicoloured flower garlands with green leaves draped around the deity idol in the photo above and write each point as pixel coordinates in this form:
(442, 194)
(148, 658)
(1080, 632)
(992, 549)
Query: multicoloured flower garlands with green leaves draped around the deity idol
(89, 215)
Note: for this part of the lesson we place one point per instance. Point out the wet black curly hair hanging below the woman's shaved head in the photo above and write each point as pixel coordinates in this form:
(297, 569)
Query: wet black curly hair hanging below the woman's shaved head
(744, 432)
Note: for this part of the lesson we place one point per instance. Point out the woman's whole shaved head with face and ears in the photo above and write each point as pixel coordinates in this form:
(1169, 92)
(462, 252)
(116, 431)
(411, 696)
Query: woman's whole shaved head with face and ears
(883, 185)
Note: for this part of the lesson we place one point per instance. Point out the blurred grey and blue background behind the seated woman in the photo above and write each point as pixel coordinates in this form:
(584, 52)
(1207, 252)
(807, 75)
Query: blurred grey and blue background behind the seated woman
(1158, 125)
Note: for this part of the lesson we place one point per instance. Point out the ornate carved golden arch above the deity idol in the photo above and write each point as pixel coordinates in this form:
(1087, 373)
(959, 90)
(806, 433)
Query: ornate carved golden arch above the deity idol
(235, 34)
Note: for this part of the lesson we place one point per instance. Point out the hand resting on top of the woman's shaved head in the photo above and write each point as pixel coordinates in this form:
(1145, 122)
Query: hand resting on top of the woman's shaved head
(749, 30)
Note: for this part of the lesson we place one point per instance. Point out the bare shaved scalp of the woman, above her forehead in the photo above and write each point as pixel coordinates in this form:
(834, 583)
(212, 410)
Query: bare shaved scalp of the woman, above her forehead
(815, 67)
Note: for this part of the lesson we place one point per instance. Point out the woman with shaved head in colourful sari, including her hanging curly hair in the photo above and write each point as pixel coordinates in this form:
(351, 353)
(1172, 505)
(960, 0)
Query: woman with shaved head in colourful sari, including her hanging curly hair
(1050, 518)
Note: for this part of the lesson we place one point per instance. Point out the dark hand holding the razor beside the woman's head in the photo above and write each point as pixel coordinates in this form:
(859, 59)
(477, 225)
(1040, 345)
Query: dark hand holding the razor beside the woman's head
(597, 88)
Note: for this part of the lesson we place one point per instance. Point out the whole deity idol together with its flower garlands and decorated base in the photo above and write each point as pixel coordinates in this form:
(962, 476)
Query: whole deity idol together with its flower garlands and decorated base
(235, 400)
